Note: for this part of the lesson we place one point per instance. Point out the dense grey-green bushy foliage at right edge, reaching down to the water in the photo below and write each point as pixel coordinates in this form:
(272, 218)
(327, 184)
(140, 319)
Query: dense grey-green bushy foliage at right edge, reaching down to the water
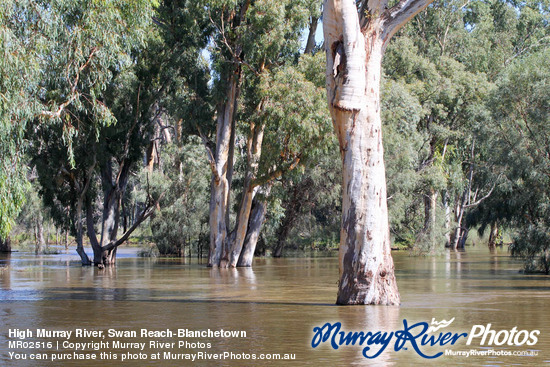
(521, 110)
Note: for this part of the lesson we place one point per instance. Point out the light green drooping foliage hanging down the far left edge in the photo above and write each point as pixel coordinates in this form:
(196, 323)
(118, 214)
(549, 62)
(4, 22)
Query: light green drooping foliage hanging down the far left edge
(19, 69)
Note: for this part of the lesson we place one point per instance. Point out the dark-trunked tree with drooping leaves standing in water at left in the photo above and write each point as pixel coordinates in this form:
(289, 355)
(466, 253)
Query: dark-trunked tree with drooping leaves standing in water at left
(79, 94)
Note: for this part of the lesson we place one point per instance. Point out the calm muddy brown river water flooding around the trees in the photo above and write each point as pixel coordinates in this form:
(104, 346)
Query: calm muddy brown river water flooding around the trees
(277, 303)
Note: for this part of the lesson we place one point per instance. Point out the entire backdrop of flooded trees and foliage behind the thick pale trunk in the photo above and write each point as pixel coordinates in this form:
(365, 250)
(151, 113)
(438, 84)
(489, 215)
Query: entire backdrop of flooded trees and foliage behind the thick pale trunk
(202, 127)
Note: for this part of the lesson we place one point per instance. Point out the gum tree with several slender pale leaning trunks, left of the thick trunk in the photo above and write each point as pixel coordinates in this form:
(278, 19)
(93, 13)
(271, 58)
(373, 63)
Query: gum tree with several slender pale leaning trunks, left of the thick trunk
(253, 42)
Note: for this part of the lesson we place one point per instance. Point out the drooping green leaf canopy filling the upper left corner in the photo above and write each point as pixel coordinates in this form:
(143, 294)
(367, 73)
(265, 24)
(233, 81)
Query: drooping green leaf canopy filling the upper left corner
(57, 55)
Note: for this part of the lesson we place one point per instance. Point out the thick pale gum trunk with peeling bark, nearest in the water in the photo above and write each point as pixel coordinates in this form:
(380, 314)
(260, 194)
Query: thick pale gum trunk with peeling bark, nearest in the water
(355, 42)
